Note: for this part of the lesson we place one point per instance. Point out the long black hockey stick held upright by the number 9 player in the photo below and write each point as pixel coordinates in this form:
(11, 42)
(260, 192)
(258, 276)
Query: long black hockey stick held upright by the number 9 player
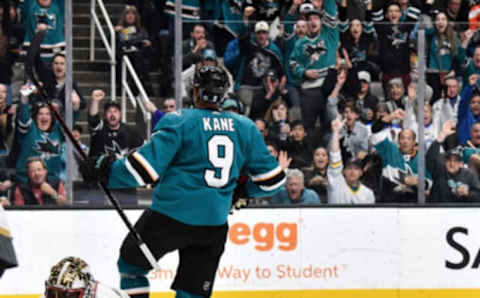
(32, 52)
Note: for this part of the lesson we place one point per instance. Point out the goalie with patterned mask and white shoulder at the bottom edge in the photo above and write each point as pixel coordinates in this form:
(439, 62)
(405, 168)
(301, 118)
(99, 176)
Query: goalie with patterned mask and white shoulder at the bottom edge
(71, 278)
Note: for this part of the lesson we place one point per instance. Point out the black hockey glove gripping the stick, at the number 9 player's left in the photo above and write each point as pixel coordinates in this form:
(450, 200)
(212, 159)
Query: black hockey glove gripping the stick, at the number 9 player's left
(97, 169)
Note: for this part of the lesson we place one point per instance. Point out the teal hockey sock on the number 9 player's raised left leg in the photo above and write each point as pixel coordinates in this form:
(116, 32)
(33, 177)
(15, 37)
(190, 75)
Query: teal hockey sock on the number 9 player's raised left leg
(133, 279)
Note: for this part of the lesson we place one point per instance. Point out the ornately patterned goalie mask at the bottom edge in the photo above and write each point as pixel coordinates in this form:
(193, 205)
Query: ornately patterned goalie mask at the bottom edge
(69, 278)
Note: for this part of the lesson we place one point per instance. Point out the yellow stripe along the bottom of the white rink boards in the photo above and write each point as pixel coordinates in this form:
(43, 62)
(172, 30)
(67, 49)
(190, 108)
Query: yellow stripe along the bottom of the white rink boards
(384, 293)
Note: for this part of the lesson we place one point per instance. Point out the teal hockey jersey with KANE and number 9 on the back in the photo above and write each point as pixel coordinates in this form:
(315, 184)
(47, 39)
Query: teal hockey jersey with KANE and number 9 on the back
(196, 157)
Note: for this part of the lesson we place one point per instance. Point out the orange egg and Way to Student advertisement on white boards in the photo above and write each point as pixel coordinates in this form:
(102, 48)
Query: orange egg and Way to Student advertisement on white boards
(258, 244)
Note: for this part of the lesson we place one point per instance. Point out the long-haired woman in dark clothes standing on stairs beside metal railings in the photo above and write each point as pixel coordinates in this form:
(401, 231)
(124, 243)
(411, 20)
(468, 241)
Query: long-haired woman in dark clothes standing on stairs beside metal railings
(133, 41)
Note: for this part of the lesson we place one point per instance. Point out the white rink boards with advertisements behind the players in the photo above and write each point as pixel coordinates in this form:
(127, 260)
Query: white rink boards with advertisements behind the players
(301, 253)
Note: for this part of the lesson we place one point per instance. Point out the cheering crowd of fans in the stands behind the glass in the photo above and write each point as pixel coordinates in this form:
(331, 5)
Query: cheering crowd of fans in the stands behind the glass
(331, 85)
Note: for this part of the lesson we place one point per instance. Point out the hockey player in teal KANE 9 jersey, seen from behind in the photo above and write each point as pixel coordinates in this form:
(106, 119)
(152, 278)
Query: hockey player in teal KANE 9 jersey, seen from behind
(195, 158)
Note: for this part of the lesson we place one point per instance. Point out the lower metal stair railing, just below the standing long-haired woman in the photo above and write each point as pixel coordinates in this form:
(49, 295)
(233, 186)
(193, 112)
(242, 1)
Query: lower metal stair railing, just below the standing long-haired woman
(127, 68)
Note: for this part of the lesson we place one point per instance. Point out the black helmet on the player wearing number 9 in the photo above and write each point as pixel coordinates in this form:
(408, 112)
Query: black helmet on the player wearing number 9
(212, 84)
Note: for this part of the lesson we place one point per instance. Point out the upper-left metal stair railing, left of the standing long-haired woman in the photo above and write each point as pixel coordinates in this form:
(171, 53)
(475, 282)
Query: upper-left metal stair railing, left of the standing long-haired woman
(110, 47)
